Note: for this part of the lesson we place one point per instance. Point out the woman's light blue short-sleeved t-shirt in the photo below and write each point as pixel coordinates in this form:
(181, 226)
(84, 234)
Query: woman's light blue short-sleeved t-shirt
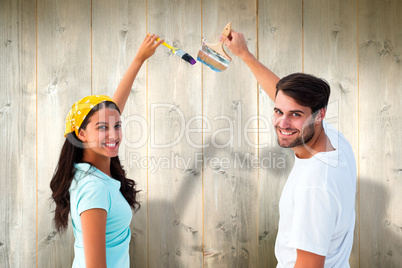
(90, 189)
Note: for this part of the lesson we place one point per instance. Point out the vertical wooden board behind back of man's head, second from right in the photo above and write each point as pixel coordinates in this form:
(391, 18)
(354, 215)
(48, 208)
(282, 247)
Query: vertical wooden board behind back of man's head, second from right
(330, 52)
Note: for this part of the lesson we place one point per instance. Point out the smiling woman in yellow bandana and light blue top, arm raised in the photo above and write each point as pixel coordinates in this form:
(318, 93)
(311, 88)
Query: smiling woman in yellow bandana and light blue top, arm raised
(89, 182)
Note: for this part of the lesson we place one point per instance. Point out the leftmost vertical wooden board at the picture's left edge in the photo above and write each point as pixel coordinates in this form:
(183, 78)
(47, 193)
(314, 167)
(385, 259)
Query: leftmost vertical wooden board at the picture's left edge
(17, 135)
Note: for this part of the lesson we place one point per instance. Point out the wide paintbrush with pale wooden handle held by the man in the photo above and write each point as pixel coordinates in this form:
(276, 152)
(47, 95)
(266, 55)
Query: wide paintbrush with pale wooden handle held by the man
(213, 55)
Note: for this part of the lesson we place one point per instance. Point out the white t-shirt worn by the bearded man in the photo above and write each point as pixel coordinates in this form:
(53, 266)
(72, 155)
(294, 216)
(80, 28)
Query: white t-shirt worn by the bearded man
(317, 206)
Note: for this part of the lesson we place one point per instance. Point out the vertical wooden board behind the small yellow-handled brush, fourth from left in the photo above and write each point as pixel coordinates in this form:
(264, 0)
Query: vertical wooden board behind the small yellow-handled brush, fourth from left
(174, 106)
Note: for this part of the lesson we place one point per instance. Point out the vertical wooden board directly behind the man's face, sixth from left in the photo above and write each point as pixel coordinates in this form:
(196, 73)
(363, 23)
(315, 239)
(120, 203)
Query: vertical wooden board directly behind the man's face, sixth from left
(280, 48)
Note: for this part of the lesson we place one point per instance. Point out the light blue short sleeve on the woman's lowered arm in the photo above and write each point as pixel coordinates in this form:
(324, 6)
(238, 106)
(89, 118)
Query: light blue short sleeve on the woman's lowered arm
(93, 194)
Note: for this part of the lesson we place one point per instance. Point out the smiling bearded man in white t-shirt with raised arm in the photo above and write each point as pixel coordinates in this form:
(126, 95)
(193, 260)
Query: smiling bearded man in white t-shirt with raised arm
(316, 208)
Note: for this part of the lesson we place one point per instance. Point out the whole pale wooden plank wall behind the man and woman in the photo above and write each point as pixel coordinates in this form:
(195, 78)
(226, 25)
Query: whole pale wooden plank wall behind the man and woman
(200, 206)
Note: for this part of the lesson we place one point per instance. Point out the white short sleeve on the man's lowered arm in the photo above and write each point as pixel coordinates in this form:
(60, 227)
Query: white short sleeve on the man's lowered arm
(315, 215)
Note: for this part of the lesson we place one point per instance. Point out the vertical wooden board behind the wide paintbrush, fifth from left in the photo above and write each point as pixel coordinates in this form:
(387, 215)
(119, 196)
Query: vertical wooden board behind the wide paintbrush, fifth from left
(230, 158)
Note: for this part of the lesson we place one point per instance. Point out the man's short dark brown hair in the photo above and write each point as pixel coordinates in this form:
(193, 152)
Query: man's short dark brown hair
(307, 90)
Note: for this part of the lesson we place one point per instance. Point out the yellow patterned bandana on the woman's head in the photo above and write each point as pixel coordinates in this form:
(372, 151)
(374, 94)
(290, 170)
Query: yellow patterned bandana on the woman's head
(79, 111)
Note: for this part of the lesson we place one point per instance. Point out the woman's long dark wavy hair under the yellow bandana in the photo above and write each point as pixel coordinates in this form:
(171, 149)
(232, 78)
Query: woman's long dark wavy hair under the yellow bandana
(72, 152)
